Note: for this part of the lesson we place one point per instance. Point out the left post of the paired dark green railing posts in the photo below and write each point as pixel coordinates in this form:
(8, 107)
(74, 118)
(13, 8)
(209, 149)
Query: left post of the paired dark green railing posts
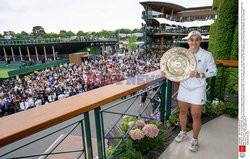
(88, 135)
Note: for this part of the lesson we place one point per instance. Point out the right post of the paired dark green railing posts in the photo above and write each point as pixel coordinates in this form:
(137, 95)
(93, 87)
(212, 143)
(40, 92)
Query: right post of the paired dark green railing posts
(99, 132)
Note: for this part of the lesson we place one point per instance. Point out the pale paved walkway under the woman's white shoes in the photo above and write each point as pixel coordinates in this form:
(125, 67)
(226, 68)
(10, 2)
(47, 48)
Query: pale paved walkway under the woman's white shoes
(218, 139)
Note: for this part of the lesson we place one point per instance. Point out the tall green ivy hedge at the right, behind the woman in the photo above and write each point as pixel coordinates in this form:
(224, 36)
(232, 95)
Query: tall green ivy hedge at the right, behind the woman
(223, 42)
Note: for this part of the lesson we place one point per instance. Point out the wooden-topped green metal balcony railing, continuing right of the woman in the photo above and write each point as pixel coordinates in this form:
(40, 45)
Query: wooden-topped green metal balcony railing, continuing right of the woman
(75, 110)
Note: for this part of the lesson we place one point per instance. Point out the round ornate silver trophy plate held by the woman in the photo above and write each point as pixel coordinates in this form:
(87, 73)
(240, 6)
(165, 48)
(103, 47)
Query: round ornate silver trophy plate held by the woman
(177, 63)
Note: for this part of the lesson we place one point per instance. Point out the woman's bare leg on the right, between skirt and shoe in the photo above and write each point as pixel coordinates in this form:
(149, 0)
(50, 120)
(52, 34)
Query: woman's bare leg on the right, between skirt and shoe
(196, 116)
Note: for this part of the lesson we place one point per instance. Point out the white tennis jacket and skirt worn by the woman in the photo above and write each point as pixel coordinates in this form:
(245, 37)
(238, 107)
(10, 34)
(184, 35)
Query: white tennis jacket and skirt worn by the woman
(193, 90)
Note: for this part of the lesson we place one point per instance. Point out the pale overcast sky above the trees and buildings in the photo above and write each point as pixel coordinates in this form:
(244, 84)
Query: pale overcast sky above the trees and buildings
(75, 15)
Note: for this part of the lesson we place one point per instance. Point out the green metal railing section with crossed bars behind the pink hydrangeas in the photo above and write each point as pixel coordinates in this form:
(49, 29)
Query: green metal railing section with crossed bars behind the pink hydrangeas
(161, 87)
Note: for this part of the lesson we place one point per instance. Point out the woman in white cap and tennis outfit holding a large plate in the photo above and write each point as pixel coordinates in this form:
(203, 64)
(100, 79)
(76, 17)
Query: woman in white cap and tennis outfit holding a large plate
(192, 90)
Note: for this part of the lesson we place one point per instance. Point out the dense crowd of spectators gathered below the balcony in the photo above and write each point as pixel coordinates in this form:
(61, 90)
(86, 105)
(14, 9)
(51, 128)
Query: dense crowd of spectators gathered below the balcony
(38, 88)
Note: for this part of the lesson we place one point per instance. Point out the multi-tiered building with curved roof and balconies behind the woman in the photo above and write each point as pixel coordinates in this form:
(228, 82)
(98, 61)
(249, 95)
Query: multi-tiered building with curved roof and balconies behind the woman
(167, 23)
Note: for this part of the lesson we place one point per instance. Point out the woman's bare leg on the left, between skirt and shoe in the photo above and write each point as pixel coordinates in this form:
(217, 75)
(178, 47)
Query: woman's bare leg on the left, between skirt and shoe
(183, 114)
